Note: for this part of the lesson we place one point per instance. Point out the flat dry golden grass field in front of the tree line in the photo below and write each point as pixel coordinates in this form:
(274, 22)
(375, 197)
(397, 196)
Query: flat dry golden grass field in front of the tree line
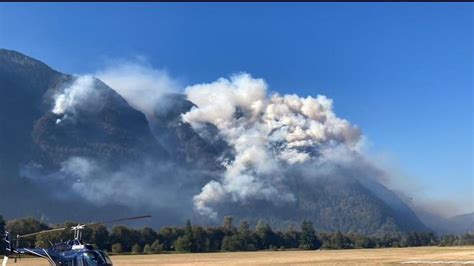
(410, 256)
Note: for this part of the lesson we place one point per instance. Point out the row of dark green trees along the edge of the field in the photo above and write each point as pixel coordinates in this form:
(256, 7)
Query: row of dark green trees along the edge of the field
(227, 237)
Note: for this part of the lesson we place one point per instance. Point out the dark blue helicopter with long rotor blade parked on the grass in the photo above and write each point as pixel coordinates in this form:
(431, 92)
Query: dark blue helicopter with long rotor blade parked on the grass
(69, 253)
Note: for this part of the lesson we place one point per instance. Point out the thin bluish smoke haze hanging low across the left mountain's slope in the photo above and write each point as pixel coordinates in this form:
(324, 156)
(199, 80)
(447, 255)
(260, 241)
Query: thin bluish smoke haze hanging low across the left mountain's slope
(137, 184)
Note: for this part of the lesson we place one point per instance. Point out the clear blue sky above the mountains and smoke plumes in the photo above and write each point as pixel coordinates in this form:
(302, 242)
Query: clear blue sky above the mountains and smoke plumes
(402, 72)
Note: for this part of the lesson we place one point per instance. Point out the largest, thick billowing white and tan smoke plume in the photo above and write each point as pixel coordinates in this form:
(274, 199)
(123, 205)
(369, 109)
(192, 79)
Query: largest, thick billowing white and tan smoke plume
(268, 132)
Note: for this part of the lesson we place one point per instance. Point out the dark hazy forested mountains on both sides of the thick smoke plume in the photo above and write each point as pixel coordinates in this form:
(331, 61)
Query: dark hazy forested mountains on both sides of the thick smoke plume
(114, 159)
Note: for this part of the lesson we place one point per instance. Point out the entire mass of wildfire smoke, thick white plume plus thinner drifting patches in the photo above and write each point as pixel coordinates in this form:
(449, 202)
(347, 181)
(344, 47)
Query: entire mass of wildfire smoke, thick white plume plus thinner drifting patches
(272, 137)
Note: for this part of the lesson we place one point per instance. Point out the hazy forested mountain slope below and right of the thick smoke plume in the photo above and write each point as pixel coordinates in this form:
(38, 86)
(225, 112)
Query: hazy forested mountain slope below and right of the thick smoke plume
(332, 204)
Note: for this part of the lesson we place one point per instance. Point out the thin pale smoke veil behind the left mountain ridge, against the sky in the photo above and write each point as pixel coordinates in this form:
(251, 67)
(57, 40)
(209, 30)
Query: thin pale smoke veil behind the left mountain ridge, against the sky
(141, 85)
